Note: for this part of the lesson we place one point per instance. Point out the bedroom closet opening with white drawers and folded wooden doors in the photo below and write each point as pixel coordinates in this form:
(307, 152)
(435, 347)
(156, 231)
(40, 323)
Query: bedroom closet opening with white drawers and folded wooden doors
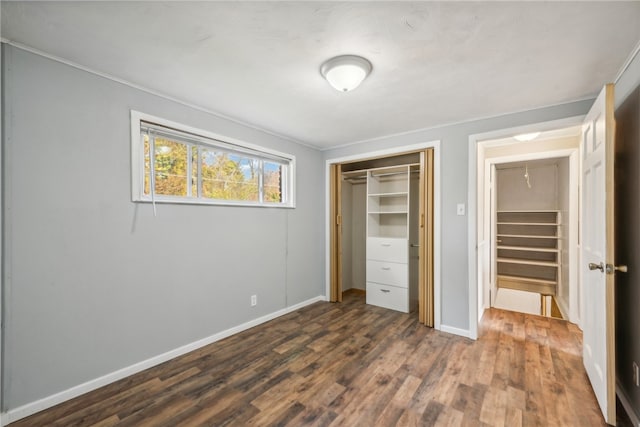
(381, 240)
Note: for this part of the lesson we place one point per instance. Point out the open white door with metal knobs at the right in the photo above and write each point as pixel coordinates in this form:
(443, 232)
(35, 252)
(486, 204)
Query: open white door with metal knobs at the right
(597, 250)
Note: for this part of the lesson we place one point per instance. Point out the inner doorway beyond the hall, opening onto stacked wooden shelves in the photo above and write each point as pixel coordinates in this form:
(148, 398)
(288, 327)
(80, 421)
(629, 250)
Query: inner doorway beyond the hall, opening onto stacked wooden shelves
(530, 212)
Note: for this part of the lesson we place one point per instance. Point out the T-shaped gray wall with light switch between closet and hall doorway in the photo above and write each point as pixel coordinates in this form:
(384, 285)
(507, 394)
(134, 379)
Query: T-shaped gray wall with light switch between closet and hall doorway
(454, 166)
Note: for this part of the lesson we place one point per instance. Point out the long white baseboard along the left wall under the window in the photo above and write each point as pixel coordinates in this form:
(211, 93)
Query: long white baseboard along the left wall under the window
(55, 399)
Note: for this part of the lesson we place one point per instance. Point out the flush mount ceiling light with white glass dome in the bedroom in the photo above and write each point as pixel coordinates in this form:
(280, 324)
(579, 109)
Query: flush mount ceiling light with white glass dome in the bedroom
(346, 72)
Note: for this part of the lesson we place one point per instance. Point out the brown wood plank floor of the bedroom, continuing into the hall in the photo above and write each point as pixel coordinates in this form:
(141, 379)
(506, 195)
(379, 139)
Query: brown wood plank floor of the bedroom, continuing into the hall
(351, 364)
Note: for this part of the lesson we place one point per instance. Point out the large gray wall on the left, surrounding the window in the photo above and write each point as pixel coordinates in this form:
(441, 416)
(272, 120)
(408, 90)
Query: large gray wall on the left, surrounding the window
(95, 283)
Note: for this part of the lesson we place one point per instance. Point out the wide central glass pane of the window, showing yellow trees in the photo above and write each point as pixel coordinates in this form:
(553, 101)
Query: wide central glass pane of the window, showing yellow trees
(228, 176)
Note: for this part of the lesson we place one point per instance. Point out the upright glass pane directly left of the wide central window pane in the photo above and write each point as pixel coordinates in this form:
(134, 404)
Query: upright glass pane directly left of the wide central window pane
(170, 167)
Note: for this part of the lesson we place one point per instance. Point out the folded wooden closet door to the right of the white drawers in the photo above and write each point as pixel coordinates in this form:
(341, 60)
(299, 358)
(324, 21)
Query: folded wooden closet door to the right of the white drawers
(425, 260)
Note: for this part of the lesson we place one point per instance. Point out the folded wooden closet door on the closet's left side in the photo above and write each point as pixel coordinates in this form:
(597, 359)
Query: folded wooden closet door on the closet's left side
(335, 220)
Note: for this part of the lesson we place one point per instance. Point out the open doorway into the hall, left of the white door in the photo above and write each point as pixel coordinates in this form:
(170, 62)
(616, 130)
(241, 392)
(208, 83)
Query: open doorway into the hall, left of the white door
(530, 204)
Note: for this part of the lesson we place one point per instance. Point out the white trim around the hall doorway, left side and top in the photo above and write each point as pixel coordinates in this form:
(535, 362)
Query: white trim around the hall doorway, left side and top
(472, 197)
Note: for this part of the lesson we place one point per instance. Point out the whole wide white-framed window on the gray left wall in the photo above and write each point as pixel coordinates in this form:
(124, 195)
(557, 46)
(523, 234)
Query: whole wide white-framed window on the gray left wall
(177, 164)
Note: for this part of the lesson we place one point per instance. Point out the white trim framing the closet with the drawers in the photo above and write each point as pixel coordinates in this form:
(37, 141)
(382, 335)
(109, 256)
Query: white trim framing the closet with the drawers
(437, 312)
